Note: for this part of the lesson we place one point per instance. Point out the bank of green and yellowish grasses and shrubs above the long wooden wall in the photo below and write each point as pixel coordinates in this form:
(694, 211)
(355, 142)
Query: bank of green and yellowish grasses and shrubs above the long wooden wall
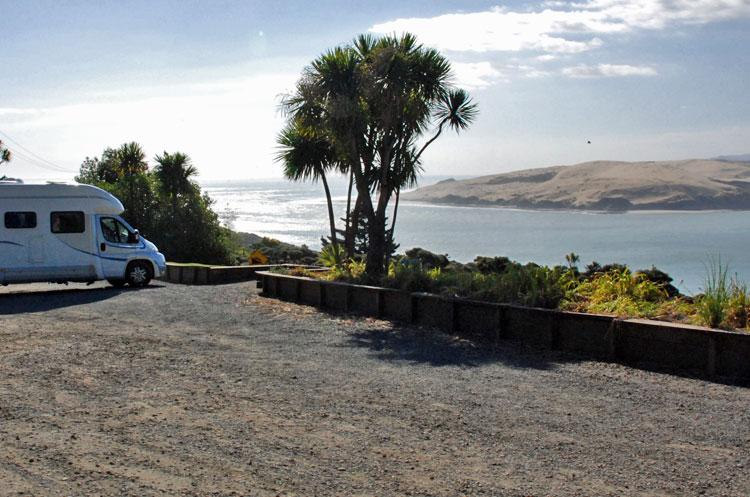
(612, 289)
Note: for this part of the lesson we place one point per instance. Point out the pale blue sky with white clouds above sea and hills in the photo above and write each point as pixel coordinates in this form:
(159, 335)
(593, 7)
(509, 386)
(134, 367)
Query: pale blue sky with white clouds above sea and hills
(642, 80)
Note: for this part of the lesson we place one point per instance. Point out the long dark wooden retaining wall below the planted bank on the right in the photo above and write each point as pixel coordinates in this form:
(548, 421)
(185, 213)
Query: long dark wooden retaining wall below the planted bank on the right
(658, 344)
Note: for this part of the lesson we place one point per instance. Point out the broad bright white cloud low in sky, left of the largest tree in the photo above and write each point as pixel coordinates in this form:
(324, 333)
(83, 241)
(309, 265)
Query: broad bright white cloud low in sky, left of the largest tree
(228, 126)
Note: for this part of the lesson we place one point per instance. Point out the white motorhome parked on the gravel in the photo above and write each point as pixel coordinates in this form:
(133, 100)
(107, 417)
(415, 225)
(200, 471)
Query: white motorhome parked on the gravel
(61, 232)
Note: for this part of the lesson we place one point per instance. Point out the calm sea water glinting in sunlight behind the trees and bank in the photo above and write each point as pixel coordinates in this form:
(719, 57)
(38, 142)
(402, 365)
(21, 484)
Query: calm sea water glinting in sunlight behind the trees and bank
(677, 242)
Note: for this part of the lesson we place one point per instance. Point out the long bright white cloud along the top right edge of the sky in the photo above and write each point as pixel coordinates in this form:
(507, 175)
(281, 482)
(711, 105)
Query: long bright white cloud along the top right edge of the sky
(559, 27)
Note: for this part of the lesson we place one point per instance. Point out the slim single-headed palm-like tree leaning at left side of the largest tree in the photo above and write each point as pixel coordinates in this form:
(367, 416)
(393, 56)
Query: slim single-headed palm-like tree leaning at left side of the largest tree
(305, 156)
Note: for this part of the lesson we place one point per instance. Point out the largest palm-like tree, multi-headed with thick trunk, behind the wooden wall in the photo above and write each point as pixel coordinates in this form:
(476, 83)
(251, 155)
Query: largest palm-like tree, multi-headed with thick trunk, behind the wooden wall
(372, 102)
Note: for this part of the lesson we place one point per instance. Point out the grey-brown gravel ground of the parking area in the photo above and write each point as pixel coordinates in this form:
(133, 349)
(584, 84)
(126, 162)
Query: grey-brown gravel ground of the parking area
(178, 390)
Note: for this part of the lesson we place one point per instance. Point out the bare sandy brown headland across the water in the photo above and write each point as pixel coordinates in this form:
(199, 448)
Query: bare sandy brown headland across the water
(698, 184)
